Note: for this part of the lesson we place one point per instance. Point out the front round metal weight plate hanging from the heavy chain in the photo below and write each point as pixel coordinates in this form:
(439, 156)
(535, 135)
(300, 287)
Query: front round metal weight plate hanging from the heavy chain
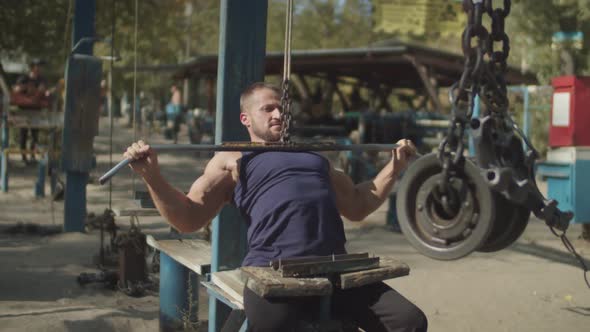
(434, 231)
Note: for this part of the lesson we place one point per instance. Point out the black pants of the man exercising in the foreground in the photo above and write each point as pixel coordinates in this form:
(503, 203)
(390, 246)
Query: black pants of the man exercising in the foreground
(374, 308)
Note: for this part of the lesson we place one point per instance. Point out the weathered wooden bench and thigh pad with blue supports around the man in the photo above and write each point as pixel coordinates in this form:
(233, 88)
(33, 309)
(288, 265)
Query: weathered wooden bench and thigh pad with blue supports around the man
(180, 256)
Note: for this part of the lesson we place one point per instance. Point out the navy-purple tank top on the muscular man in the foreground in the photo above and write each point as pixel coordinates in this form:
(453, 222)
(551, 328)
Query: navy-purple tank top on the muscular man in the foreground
(287, 201)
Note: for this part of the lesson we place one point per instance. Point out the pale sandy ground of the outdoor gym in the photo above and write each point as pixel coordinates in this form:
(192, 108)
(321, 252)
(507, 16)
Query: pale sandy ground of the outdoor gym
(534, 285)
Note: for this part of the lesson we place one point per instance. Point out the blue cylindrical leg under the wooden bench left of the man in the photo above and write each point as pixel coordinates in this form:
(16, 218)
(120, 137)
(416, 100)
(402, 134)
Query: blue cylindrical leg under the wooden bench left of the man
(179, 295)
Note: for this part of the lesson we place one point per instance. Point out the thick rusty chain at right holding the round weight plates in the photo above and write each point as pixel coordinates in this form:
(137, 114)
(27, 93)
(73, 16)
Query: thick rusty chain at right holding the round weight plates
(486, 79)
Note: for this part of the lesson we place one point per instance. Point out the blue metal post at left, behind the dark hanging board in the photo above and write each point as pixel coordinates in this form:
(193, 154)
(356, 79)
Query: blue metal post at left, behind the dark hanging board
(75, 187)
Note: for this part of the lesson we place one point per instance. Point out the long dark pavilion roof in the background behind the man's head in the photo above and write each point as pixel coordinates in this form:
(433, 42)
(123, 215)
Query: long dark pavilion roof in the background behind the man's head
(393, 65)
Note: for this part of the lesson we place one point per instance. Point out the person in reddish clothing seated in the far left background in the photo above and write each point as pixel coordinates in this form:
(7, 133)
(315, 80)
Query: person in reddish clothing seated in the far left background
(31, 92)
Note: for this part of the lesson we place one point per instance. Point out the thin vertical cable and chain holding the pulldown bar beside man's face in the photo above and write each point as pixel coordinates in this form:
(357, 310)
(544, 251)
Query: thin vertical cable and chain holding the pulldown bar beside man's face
(286, 116)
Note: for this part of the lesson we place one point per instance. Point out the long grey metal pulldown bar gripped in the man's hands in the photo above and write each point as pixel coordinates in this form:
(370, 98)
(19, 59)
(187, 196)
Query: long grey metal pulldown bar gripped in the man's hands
(239, 146)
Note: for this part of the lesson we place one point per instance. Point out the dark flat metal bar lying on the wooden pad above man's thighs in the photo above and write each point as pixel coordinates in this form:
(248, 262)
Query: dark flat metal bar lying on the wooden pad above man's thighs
(306, 270)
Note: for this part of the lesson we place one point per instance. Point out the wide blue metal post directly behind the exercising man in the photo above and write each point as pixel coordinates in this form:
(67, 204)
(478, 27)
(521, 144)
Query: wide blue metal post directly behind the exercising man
(242, 43)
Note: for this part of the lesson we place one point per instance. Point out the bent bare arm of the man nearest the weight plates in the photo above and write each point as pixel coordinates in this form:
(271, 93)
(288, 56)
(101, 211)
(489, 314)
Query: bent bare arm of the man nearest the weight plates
(356, 202)
